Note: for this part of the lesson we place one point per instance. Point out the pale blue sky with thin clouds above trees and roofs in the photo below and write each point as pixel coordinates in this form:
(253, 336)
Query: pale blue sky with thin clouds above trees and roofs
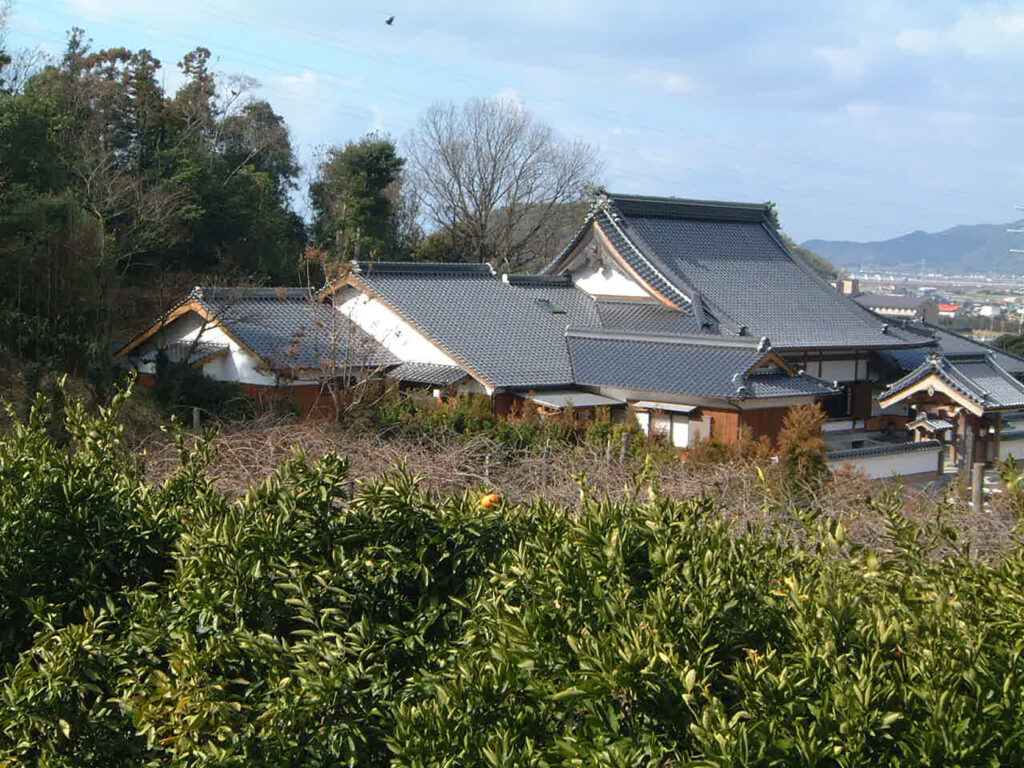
(862, 119)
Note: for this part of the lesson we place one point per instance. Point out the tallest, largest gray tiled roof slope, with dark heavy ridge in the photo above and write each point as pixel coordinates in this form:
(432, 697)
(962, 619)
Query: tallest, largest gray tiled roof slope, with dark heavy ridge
(727, 259)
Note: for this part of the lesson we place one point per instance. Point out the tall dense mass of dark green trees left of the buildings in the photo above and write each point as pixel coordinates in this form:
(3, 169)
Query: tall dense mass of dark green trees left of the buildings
(108, 183)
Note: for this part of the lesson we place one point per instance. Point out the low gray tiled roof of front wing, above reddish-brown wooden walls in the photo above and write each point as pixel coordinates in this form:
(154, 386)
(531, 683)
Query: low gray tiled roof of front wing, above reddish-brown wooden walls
(700, 366)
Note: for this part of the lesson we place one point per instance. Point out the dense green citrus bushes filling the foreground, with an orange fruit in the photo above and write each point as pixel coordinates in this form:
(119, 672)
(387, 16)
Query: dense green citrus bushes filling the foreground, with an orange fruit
(315, 622)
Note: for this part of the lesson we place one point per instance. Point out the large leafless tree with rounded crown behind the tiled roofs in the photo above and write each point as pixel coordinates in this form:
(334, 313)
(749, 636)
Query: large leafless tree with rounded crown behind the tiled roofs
(497, 182)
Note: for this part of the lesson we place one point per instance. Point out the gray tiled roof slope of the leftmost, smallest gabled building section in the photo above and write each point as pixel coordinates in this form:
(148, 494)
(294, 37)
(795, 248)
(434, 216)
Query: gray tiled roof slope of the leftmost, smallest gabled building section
(290, 330)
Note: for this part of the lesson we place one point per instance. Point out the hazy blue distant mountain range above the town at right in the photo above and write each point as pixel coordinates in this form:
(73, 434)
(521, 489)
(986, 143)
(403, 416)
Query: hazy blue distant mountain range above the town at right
(962, 250)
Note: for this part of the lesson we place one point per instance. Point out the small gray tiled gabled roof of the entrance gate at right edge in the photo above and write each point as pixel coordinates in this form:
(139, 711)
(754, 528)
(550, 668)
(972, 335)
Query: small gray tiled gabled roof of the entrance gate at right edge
(979, 379)
